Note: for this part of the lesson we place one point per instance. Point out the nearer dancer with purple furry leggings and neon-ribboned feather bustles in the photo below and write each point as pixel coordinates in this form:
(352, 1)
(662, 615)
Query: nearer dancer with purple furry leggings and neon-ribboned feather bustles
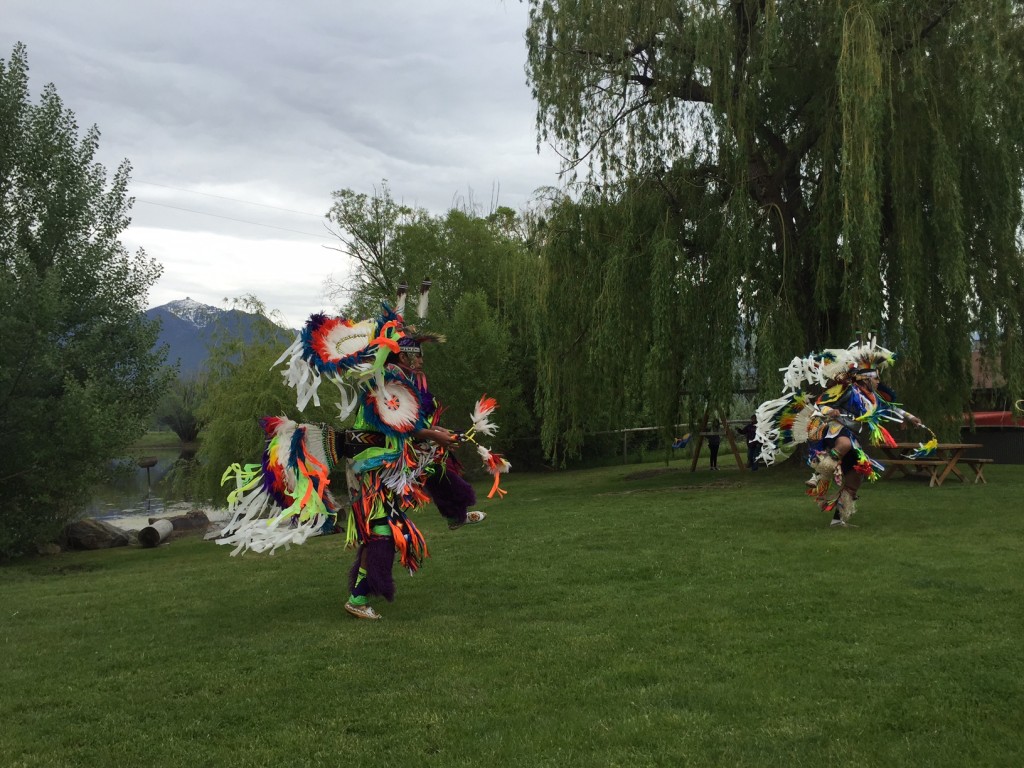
(396, 454)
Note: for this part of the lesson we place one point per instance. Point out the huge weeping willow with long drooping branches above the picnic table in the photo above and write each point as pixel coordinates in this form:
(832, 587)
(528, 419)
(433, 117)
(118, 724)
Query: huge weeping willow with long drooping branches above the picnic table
(766, 179)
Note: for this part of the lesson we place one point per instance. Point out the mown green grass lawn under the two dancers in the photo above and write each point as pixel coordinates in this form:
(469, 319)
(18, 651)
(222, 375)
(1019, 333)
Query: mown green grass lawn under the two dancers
(679, 619)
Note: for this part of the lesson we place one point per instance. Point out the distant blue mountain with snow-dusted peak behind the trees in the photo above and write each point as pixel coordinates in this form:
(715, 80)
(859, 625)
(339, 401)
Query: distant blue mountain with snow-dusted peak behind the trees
(189, 328)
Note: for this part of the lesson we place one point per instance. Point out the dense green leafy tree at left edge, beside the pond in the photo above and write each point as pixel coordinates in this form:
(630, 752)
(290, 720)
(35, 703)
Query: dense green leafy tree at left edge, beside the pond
(79, 378)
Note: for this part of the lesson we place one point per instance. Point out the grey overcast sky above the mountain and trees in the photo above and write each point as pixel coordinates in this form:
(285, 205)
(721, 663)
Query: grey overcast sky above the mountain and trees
(241, 118)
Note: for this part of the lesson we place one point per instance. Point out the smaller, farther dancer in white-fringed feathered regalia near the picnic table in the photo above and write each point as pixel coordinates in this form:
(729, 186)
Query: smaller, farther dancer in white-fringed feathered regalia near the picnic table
(854, 405)
